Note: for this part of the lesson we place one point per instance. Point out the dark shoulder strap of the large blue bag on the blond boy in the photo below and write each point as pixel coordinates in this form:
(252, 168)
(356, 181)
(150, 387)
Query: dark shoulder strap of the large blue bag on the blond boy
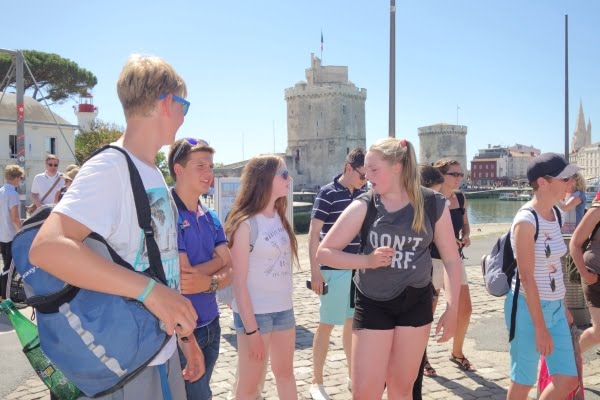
(143, 211)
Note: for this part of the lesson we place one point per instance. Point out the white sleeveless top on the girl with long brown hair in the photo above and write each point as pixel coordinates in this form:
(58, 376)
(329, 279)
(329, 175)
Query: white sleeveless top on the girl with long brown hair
(270, 268)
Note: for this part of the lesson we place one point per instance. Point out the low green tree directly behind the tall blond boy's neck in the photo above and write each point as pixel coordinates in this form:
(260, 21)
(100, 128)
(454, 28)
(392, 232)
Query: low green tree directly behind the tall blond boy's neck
(102, 133)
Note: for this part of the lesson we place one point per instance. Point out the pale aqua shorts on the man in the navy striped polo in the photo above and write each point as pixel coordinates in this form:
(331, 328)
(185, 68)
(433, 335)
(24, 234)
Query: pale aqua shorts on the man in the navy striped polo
(335, 305)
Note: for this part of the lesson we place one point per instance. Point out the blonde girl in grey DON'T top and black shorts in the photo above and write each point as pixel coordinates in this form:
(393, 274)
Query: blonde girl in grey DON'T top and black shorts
(393, 307)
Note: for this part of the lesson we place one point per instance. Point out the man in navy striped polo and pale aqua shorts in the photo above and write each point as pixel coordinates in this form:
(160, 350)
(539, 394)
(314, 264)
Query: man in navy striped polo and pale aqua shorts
(336, 308)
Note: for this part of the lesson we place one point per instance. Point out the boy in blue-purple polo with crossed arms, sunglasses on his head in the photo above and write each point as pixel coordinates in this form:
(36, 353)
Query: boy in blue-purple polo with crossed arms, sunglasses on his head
(204, 257)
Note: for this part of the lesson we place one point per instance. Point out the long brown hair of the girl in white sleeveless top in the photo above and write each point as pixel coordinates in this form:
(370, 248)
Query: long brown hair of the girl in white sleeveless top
(255, 191)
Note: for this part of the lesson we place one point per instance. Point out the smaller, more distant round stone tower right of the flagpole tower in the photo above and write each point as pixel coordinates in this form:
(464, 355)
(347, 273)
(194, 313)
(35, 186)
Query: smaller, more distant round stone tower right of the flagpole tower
(443, 141)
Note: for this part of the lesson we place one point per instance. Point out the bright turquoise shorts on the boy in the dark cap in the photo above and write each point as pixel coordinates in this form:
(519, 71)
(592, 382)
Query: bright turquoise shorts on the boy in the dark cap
(524, 357)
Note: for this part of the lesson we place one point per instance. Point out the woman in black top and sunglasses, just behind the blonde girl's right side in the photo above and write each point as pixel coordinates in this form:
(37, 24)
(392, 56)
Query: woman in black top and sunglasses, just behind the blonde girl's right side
(453, 175)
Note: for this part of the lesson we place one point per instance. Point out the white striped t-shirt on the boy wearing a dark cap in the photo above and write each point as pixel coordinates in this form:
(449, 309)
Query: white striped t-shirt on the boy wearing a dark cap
(549, 248)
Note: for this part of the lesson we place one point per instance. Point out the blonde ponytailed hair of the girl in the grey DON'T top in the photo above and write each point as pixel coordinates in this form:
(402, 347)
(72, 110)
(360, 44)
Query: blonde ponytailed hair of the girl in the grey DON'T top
(402, 151)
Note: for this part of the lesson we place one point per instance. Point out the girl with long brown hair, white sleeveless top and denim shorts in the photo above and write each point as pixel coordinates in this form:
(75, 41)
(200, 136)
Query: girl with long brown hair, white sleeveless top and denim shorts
(262, 277)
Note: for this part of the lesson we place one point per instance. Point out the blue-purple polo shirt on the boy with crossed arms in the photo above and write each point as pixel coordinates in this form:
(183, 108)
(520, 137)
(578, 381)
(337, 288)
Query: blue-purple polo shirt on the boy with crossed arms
(198, 234)
